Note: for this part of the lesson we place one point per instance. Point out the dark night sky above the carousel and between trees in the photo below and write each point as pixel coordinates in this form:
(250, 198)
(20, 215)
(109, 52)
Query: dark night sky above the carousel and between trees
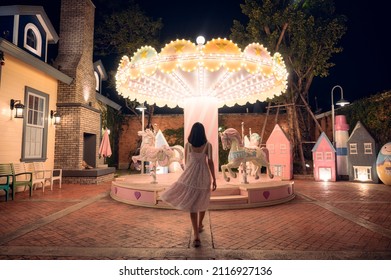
(362, 69)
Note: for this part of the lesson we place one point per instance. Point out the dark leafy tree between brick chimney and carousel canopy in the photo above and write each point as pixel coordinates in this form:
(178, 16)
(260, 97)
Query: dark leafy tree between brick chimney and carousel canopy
(121, 27)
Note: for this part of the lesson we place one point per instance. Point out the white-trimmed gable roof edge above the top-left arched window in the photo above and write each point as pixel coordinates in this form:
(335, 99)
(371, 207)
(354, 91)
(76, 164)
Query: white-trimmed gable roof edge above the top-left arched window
(32, 10)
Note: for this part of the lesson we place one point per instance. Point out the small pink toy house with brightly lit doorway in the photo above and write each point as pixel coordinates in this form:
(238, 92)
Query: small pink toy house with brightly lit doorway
(323, 155)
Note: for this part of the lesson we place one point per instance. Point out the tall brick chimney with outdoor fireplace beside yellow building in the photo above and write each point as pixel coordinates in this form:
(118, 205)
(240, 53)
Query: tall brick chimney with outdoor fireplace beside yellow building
(76, 101)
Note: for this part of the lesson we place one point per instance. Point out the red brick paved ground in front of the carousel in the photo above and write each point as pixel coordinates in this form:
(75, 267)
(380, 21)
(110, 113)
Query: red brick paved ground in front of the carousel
(340, 220)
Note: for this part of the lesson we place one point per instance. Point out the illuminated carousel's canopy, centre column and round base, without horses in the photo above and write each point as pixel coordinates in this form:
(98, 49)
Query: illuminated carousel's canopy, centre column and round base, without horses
(201, 78)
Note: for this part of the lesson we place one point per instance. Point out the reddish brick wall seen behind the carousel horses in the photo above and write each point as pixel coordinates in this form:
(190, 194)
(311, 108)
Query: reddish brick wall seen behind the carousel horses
(128, 138)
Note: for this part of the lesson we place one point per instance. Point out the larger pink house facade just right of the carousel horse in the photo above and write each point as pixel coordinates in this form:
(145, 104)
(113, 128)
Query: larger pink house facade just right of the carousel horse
(280, 154)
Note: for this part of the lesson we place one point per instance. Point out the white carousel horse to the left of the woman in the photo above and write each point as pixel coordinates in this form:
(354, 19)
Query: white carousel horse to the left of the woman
(164, 155)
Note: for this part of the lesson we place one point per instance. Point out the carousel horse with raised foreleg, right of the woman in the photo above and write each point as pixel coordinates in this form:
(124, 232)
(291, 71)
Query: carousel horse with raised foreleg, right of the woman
(239, 155)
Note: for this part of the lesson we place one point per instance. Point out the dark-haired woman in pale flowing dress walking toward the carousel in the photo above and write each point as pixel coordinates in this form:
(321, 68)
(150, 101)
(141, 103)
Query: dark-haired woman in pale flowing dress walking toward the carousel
(192, 190)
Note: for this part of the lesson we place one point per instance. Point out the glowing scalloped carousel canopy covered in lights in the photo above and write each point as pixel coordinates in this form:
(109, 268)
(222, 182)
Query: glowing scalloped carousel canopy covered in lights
(217, 69)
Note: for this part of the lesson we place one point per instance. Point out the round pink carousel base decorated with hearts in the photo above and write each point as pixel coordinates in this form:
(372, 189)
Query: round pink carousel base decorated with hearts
(139, 190)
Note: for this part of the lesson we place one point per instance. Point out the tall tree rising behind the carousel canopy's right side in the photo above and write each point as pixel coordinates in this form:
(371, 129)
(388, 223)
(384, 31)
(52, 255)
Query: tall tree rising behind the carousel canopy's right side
(306, 33)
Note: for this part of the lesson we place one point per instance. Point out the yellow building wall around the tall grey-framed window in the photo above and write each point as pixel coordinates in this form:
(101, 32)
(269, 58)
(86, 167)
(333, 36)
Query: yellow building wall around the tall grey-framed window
(15, 76)
